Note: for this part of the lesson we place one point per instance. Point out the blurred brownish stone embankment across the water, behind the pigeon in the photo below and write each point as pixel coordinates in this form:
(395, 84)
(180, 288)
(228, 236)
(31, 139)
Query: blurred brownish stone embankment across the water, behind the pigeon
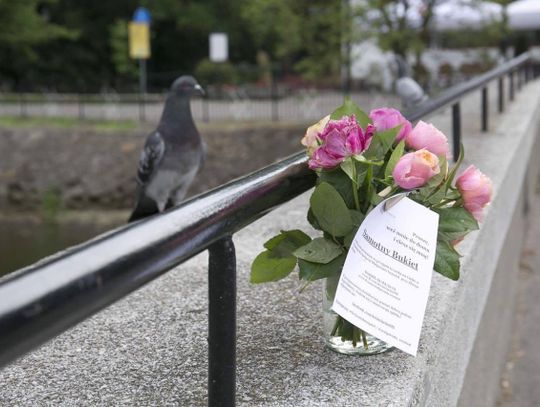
(50, 168)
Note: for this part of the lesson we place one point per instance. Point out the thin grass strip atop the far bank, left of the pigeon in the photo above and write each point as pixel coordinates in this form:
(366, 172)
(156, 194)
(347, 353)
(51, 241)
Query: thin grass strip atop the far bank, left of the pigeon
(67, 123)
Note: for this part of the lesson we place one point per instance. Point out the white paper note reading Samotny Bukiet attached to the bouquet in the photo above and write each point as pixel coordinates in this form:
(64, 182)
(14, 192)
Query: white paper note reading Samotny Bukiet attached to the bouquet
(385, 282)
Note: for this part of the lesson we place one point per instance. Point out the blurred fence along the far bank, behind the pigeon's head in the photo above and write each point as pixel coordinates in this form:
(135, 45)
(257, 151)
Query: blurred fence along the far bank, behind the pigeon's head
(234, 104)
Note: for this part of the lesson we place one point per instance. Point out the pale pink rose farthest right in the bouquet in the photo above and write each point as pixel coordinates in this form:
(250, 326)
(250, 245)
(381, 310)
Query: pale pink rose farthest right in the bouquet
(476, 190)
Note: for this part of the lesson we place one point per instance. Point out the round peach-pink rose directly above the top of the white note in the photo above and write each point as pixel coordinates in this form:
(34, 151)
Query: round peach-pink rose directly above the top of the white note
(415, 169)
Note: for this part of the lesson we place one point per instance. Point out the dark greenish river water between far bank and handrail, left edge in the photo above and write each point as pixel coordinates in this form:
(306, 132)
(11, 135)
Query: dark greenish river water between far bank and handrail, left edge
(24, 239)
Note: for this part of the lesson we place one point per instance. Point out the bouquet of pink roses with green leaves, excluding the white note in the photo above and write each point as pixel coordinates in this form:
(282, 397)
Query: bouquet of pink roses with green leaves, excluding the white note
(361, 159)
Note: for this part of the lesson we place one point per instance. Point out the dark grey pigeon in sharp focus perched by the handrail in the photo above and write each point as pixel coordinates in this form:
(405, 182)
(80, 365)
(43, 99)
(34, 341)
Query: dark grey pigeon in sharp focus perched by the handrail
(172, 154)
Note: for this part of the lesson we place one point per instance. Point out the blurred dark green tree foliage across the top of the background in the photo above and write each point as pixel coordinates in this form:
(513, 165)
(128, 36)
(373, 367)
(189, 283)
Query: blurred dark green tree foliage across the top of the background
(81, 45)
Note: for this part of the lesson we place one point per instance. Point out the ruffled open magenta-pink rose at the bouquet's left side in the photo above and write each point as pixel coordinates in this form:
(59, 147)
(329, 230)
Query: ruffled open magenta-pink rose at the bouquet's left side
(340, 139)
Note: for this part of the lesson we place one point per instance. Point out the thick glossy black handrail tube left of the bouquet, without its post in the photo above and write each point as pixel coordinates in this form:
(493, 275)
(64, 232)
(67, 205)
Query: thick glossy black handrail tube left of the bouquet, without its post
(45, 299)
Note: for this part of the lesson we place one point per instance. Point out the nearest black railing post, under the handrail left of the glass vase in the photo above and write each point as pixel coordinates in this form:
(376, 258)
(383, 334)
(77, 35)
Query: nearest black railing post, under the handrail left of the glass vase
(222, 324)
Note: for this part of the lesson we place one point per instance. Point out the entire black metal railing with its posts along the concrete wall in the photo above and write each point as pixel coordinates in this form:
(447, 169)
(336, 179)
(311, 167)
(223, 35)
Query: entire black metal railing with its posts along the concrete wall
(43, 300)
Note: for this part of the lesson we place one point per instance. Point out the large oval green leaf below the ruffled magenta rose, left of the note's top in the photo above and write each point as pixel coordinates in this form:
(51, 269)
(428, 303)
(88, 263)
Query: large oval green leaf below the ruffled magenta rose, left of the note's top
(330, 210)
